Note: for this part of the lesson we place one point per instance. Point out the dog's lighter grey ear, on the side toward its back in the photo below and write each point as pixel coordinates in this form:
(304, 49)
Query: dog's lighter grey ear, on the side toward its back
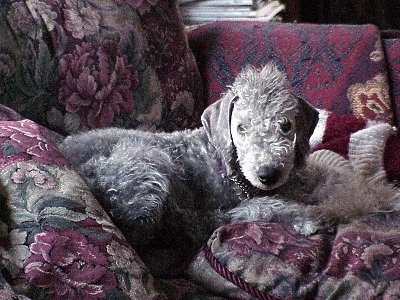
(216, 120)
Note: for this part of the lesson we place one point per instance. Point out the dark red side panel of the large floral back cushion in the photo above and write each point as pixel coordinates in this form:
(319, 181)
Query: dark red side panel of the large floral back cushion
(173, 61)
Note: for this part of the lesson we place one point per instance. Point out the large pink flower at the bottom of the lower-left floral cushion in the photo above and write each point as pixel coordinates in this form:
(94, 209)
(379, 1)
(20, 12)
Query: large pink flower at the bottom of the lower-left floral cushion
(64, 262)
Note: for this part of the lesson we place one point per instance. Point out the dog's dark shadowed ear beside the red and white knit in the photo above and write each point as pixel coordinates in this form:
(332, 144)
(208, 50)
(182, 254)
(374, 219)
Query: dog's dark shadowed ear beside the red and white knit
(306, 121)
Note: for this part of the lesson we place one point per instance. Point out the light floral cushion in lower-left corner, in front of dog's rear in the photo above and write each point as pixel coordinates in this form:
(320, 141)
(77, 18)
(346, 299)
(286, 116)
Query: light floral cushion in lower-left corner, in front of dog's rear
(56, 242)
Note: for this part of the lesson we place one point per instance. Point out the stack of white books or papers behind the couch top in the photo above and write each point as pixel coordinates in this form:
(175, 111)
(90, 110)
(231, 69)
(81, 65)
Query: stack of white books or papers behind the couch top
(202, 11)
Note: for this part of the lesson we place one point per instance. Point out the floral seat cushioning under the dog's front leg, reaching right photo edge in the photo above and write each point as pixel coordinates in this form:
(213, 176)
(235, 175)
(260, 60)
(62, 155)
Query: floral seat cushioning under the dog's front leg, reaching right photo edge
(259, 260)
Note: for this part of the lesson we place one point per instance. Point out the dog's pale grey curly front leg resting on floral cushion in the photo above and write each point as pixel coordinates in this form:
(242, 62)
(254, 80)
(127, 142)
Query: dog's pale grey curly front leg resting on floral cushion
(271, 209)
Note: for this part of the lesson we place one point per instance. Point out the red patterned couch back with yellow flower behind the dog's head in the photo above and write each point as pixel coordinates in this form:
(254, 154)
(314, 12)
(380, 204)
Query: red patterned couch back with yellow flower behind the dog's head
(337, 67)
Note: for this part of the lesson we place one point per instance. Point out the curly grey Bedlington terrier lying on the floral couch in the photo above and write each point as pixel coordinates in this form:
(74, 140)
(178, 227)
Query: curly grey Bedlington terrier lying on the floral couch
(247, 162)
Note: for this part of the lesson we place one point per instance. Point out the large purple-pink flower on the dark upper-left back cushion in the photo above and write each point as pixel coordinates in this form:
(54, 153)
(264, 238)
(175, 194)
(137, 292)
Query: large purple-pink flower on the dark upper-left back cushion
(96, 83)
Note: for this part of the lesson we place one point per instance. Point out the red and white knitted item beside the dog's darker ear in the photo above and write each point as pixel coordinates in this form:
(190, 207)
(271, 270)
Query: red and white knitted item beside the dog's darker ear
(363, 143)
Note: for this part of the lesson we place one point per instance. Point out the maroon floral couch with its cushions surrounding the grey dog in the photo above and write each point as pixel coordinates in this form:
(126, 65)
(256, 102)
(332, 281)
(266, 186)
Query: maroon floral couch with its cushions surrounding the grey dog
(71, 65)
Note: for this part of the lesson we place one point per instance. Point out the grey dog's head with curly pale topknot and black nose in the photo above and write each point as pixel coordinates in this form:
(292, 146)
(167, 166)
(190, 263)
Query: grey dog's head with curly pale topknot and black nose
(261, 128)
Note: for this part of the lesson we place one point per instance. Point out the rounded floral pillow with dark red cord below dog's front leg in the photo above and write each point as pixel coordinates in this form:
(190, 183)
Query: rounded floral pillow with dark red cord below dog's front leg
(257, 260)
